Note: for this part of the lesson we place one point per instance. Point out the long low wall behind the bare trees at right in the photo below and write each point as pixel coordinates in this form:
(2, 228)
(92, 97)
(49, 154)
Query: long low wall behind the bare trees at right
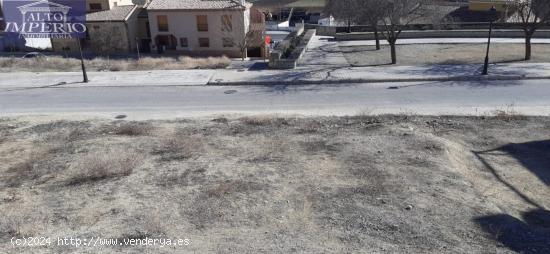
(444, 34)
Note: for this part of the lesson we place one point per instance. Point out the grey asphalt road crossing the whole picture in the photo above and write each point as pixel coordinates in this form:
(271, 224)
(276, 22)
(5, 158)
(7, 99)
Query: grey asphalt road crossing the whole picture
(471, 98)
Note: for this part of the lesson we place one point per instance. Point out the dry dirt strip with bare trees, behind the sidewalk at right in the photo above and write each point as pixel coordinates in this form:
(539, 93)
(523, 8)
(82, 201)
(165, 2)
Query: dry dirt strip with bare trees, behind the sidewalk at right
(418, 54)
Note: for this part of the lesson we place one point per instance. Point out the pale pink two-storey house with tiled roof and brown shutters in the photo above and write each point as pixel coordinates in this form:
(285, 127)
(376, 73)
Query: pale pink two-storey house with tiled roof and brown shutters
(204, 27)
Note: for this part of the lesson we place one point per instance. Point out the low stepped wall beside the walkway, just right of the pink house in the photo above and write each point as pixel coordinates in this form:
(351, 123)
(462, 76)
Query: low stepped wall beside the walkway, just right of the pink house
(277, 62)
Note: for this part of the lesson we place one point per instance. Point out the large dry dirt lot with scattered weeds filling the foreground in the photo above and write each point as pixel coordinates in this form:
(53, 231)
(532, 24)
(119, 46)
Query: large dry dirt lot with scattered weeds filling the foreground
(364, 184)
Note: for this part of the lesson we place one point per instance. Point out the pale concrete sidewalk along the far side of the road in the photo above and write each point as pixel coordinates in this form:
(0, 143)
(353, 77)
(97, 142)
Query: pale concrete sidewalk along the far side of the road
(304, 75)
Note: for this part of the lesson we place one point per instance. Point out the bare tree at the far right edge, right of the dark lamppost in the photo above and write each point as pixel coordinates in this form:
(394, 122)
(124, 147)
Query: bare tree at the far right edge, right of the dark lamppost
(532, 14)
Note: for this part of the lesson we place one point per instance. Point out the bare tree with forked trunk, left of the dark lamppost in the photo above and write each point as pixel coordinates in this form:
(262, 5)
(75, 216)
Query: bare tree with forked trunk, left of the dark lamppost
(397, 15)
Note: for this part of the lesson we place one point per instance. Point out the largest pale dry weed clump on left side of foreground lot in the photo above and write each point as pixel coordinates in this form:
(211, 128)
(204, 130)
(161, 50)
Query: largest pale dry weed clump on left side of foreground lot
(103, 165)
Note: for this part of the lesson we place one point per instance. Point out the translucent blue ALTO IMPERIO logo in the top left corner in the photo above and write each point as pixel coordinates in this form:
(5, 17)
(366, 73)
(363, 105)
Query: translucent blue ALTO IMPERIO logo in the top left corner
(45, 18)
